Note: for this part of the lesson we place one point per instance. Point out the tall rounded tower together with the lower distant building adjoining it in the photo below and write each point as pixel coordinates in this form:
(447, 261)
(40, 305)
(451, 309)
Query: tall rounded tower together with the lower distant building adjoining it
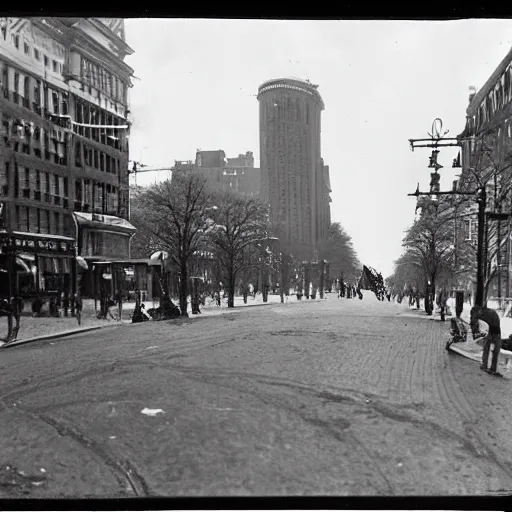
(292, 178)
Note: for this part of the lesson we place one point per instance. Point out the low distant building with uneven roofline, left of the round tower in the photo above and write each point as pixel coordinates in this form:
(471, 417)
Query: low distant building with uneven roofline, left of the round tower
(237, 174)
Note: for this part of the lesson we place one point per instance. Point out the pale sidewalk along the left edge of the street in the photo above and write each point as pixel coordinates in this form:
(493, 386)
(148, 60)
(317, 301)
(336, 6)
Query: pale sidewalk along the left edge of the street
(45, 327)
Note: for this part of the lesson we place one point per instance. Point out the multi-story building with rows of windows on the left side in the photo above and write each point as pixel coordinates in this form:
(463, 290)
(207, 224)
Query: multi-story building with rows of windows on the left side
(64, 146)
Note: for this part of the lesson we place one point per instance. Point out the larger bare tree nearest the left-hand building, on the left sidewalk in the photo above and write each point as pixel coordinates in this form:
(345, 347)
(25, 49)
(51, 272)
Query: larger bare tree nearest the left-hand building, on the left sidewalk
(176, 217)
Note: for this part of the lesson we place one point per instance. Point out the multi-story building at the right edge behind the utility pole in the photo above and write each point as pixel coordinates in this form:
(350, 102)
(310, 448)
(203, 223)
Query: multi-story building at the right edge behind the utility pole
(486, 150)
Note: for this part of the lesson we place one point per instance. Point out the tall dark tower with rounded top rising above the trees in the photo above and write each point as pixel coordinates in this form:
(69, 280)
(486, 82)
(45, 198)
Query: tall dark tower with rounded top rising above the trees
(294, 179)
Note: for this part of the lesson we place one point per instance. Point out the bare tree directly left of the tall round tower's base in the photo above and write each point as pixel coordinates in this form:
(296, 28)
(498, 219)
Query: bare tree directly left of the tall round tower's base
(240, 223)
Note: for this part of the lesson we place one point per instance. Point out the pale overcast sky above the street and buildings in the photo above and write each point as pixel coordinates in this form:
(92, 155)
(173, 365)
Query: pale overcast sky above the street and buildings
(382, 82)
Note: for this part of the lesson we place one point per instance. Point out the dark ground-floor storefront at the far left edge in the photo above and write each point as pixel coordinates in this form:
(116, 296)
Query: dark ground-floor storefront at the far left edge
(36, 266)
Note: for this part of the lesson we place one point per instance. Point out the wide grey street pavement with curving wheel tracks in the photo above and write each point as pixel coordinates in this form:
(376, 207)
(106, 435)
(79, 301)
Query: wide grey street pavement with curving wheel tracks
(336, 397)
